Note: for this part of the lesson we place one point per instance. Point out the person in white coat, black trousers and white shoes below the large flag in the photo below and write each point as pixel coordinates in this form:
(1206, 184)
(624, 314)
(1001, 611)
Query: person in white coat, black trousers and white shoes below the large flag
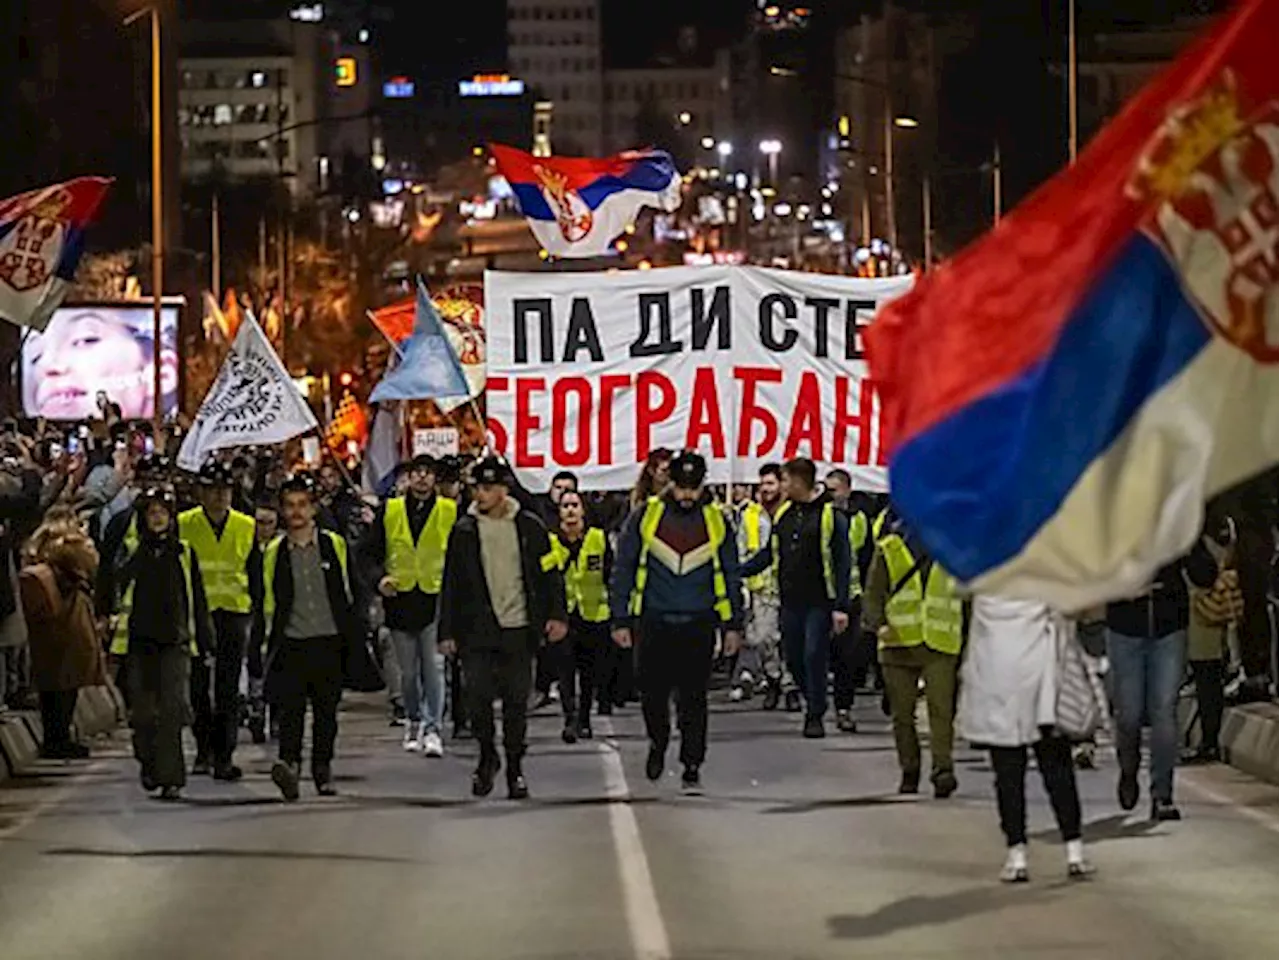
(1009, 700)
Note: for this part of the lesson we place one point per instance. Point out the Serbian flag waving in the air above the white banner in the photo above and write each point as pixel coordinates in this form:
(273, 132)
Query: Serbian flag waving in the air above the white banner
(578, 207)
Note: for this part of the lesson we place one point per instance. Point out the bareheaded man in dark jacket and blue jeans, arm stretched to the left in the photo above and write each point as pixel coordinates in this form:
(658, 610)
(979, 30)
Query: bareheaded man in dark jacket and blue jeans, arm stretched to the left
(810, 552)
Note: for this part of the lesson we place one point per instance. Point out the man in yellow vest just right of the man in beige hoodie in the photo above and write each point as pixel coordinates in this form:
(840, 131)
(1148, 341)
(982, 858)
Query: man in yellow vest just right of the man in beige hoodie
(584, 556)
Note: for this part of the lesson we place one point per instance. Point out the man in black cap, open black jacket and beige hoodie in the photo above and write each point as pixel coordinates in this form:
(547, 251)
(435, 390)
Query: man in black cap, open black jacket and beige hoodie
(504, 593)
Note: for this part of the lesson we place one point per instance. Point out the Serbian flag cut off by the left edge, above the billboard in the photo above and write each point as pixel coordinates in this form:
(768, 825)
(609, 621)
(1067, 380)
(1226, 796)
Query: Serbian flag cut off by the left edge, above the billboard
(42, 243)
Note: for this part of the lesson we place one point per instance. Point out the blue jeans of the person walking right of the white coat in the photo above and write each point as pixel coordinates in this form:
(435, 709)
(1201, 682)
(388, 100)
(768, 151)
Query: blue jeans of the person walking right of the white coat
(1146, 674)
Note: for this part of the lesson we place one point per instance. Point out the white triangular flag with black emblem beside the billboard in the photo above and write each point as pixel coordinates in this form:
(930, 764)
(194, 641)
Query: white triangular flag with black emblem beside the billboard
(254, 401)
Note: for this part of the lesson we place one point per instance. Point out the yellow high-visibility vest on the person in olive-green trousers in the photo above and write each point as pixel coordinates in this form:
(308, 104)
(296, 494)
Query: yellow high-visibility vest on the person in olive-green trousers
(922, 614)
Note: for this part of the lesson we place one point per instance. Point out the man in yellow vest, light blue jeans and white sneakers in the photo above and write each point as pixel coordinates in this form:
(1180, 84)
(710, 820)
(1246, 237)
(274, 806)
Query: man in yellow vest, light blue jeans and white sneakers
(405, 548)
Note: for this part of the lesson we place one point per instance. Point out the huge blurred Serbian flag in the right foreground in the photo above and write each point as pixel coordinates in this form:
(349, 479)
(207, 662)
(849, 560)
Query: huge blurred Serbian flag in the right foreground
(1066, 395)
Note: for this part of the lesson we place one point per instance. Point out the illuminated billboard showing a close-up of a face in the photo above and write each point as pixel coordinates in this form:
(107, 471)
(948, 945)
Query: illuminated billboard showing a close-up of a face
(92, 350)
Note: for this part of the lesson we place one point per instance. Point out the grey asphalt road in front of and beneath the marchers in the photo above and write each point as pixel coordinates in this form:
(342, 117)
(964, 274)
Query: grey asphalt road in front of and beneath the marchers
(799, 852)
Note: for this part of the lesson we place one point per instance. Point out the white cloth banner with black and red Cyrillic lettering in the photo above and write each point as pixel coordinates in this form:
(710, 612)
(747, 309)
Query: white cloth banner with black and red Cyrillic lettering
(592, 372)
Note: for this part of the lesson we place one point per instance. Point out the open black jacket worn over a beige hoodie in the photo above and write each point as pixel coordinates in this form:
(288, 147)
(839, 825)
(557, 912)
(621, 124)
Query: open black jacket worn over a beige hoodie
(467, 610)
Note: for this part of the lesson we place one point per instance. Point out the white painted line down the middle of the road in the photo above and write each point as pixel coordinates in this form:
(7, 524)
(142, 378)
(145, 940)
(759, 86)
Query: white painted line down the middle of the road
(650, 938)
